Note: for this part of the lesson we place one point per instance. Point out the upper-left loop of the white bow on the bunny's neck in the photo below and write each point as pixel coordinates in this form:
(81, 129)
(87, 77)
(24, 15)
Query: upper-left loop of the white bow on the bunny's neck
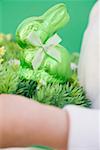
(34, 39)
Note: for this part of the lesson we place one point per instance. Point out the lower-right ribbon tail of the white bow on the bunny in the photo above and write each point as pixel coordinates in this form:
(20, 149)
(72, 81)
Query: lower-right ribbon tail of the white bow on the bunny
(54, 53)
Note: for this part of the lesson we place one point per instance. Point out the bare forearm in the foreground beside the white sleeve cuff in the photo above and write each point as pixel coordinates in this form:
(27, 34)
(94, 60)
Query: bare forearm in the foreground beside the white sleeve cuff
(24, 122)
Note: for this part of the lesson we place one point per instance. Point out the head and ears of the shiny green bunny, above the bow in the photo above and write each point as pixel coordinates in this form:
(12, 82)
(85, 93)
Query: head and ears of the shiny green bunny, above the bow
(45, 25)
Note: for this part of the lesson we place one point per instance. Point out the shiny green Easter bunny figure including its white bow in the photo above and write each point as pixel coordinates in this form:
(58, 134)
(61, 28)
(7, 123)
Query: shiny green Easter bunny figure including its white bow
(43, 53)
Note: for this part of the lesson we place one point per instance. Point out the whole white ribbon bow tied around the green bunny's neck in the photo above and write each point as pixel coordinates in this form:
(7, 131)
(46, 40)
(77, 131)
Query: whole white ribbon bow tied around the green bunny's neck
(48, 48)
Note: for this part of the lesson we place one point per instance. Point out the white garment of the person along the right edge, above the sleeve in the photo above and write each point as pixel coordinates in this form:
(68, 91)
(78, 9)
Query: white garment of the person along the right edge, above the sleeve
(89, 64)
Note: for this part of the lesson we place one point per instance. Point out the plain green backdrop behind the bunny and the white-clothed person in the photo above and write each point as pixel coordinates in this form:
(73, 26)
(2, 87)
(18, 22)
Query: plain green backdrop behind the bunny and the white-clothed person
(12, 12)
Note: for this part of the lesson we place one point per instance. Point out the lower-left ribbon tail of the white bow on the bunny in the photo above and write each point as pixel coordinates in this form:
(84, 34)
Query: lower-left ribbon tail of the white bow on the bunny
(38, 59)
